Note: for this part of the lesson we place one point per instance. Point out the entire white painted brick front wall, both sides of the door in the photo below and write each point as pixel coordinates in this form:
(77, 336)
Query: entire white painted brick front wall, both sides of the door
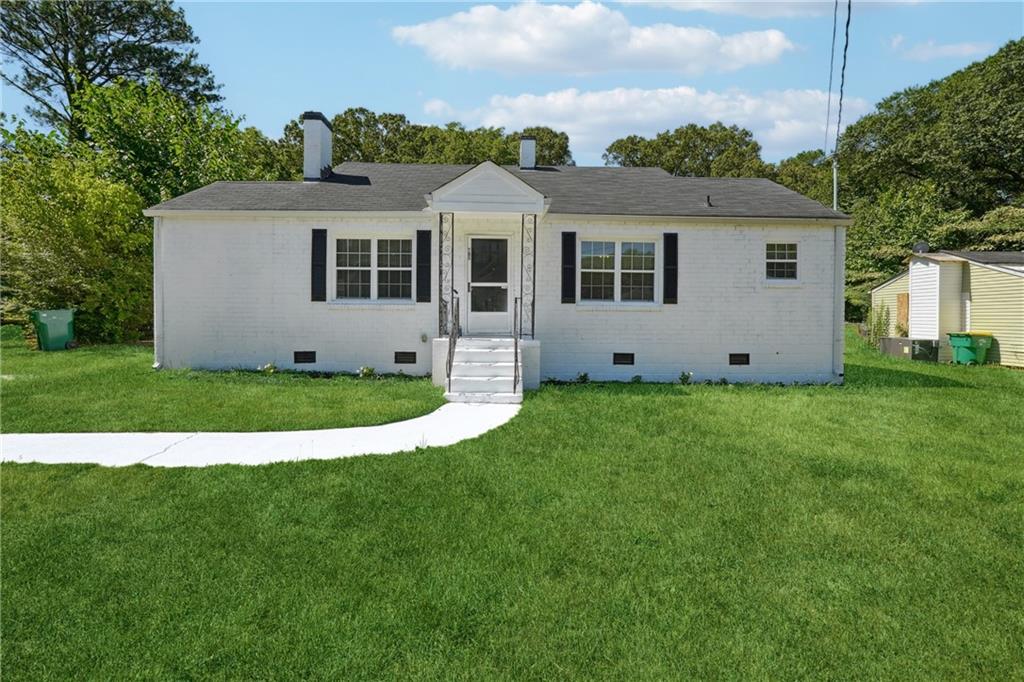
(236, 293)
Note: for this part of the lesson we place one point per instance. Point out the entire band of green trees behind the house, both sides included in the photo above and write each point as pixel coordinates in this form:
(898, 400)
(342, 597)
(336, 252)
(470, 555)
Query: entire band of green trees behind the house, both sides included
(138, 120)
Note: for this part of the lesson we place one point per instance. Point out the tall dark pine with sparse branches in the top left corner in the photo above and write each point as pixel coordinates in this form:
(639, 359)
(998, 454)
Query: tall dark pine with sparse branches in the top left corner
(62, 47)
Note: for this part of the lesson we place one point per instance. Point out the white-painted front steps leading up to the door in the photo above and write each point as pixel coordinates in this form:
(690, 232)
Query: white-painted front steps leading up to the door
(484, 371)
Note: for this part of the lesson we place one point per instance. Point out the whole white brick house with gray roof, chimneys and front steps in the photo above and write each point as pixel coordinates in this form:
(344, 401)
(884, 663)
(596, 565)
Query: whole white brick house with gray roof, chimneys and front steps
(554, 272)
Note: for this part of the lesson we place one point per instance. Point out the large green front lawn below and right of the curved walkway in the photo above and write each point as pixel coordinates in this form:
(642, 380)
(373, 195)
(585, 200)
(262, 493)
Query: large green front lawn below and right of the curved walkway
(635, 532)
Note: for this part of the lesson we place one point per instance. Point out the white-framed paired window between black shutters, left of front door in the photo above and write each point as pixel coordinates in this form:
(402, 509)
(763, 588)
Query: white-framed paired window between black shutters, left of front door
(374, 269)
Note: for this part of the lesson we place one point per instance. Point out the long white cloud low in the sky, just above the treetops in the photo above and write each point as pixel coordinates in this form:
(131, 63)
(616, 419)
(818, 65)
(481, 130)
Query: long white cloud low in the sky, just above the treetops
(784, 121)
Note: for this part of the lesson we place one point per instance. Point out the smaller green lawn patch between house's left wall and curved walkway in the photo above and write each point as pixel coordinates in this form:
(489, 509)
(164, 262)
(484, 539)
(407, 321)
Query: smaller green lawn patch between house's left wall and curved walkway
(114, 389)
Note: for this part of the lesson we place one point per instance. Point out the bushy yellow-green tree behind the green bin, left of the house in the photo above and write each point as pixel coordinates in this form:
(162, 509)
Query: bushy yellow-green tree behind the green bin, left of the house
(70, 238)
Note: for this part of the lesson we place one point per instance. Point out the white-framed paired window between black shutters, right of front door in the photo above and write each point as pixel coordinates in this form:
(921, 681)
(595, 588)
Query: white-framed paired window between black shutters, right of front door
(617, 272)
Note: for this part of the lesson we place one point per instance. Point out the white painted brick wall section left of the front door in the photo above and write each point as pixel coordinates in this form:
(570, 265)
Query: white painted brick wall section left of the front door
(236, 293)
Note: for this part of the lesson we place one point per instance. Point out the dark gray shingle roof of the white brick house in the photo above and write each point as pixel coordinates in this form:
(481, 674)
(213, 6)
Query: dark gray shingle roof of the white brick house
(601, 191)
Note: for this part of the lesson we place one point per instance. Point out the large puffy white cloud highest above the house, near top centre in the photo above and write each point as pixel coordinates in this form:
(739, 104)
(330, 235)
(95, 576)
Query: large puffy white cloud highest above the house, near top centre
(581, 39)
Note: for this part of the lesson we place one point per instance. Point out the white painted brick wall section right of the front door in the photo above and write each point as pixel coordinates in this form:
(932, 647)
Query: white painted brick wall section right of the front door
(726, 306)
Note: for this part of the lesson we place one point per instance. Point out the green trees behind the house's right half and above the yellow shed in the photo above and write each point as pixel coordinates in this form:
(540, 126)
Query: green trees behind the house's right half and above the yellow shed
(942, 163)
